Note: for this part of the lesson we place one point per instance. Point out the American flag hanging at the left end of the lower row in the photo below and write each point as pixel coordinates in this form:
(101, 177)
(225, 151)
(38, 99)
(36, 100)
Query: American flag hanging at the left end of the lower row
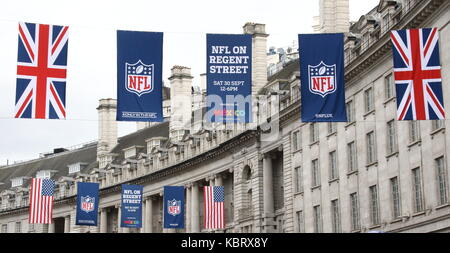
(41, 201)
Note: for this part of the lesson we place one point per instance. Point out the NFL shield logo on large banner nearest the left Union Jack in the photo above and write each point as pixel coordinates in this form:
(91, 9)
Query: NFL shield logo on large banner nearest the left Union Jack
(139, 78)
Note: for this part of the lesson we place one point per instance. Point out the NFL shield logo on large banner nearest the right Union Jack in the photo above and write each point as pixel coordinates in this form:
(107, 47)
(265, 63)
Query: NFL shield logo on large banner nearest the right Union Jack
(322, 79)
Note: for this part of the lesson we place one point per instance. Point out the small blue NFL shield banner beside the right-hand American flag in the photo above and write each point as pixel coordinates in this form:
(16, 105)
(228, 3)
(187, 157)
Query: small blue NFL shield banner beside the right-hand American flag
(173, 207)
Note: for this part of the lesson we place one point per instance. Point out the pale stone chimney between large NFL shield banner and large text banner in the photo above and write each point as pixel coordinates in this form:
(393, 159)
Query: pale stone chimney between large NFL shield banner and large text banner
(180, 101)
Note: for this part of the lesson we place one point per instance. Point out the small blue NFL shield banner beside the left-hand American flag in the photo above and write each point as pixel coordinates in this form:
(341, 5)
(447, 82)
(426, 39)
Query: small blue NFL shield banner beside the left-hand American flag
(87, 204)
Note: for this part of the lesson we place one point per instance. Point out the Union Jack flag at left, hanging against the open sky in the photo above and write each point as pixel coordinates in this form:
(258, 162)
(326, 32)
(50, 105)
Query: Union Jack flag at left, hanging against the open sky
(41, 71)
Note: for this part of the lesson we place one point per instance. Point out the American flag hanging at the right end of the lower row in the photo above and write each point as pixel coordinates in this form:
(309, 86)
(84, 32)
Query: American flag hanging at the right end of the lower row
(214, 200)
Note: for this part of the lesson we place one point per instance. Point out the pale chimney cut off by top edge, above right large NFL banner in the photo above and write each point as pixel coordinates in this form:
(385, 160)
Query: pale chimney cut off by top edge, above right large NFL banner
(334, 16)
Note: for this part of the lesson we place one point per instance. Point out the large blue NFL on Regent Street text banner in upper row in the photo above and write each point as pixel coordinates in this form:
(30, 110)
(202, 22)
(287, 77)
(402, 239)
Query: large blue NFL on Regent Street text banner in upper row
(229, 77)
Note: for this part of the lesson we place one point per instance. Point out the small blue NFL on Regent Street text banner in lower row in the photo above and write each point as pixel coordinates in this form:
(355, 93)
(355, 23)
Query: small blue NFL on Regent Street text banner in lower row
(131, 208)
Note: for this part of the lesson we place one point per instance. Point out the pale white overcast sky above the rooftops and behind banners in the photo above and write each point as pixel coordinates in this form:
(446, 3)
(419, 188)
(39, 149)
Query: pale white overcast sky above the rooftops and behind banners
(92, 53)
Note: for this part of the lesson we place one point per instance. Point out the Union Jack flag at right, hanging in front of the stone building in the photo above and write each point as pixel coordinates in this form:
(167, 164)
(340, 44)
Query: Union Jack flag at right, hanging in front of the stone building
(417, 73)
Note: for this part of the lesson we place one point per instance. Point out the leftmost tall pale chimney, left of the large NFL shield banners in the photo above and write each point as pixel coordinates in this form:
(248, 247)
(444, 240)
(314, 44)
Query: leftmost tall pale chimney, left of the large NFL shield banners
(107, 126)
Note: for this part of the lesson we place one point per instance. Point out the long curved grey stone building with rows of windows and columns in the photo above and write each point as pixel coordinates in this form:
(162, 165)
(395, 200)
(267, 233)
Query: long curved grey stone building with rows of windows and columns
(370, 173)
